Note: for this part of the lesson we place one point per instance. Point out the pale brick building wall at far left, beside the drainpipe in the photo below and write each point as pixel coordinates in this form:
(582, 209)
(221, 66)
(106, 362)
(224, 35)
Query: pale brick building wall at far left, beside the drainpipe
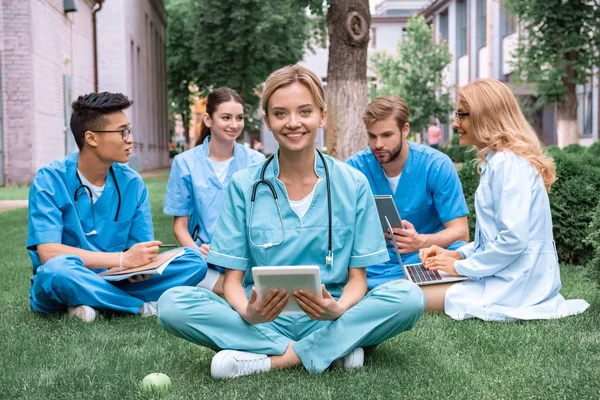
(41, 45)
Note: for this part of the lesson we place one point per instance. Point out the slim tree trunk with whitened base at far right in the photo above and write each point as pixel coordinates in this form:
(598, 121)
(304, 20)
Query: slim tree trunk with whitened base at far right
(567, 128)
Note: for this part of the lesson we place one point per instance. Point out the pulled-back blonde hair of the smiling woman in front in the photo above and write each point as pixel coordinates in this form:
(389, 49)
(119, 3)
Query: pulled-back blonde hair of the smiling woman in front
(285, 76)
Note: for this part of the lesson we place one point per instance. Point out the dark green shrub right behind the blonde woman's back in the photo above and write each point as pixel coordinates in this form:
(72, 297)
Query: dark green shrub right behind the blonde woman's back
(573, 199)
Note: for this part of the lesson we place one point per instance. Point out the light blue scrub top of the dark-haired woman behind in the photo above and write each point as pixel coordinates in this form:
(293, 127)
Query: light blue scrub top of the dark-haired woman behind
(194, 189)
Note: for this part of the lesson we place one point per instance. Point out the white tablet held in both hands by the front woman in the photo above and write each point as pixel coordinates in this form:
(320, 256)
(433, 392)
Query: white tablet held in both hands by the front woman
(287, 278)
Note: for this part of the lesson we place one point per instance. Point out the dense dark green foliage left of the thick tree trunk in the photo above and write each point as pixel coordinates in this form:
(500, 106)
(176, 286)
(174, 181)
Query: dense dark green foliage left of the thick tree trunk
(234, 44)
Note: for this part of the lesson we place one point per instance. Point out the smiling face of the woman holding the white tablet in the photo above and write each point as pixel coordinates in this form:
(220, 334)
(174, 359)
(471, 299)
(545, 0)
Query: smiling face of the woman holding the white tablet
(294, 117)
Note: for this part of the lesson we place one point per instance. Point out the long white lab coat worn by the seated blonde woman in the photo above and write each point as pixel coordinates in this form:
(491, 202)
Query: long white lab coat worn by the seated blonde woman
(512, 262)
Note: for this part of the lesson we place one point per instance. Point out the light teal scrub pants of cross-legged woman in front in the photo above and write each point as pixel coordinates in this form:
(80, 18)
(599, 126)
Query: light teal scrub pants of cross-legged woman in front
(204, 318)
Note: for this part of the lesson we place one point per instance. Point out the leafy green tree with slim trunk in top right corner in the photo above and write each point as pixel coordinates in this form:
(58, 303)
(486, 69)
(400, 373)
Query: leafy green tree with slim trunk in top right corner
(558, 48)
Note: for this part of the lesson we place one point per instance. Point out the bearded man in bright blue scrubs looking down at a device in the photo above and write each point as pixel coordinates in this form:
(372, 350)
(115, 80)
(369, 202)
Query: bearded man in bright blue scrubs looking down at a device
(423, 182)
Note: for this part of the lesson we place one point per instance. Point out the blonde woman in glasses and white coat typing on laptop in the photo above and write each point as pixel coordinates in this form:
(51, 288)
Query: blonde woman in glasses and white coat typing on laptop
(512, 262)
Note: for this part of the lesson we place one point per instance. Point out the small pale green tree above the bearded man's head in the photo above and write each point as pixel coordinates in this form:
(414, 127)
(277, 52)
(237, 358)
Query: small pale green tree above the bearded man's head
(415, 74)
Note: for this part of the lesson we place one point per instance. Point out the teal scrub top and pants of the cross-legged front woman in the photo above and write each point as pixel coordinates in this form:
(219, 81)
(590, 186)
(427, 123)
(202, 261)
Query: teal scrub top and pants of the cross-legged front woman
(205, 319)
